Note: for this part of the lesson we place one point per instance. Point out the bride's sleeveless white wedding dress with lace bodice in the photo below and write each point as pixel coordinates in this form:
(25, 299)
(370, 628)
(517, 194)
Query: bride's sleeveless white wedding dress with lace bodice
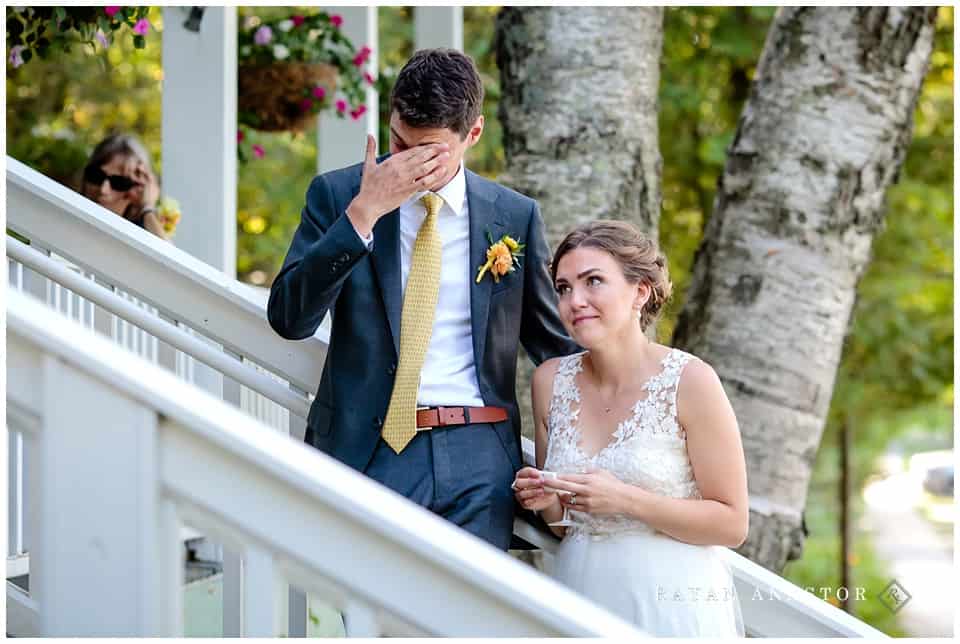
(664, 586)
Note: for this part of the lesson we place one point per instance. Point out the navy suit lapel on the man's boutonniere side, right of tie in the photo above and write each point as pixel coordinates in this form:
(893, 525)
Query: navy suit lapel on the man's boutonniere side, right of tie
(484, 218)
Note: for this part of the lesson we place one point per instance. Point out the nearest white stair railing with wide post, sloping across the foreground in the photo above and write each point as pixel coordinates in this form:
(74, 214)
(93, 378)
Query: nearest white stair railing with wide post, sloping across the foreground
(125, 452)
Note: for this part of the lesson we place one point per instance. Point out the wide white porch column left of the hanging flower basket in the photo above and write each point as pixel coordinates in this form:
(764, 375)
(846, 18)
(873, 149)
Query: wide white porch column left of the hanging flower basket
(200, 131)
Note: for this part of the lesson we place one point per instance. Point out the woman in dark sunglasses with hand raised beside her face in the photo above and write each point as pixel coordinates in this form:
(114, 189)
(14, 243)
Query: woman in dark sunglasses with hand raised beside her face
(119, 177)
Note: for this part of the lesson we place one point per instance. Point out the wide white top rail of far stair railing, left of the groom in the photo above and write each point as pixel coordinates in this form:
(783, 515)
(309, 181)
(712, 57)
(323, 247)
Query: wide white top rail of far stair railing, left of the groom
(157, 272)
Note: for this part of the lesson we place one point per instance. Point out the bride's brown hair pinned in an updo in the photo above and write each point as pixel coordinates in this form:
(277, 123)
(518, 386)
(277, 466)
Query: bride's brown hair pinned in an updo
(638, 256)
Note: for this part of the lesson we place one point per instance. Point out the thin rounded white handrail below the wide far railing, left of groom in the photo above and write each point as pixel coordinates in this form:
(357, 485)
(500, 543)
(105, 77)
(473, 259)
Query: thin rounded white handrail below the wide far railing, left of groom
(158, 327)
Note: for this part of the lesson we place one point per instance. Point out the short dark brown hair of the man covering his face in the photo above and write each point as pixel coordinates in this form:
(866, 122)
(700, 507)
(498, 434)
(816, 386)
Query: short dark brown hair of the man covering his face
(438, 88)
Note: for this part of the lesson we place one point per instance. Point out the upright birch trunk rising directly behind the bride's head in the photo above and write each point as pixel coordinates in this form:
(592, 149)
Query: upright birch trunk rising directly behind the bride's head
(579, 114)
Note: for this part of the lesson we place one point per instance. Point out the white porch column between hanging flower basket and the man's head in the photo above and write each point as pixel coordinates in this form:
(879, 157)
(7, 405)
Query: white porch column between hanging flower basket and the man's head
(340, 142)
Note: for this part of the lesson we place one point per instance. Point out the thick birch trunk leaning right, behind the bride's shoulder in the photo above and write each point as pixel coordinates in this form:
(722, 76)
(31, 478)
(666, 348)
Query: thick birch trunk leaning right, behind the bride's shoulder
(821, 138)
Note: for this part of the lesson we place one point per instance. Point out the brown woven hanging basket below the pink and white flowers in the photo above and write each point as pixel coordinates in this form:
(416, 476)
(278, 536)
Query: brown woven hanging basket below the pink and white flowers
(272, 95)
